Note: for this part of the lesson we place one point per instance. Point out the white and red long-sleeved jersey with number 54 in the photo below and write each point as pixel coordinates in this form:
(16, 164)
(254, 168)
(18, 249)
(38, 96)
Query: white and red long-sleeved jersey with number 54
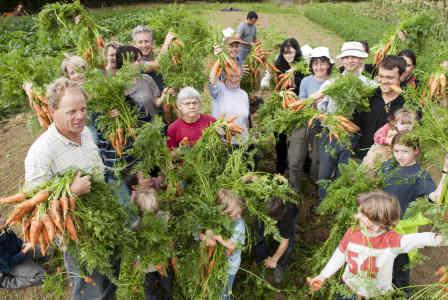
(369, 259)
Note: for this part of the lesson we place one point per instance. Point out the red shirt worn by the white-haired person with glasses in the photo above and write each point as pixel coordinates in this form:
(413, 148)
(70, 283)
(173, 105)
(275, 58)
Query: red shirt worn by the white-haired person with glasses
(179, 129)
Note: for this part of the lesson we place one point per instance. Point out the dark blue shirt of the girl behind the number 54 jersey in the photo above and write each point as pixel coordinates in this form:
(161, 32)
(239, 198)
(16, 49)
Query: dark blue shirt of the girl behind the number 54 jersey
(406, 183)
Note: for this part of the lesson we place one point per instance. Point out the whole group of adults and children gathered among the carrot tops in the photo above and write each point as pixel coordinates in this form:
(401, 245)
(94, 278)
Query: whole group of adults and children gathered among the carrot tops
(74, 141)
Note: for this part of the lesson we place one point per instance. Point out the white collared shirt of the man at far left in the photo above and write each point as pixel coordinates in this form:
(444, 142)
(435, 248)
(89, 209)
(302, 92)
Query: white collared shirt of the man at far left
(52, 154)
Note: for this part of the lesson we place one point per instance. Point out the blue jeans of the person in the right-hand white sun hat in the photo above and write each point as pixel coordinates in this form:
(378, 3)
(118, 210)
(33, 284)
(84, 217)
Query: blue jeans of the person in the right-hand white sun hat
(331, 155)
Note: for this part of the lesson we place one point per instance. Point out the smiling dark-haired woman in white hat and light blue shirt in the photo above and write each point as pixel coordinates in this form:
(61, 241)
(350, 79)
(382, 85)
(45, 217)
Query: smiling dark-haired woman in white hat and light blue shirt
(320, 66)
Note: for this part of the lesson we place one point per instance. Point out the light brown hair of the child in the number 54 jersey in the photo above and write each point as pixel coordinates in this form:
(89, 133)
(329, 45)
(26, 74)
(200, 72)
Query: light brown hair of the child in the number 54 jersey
(380, 207)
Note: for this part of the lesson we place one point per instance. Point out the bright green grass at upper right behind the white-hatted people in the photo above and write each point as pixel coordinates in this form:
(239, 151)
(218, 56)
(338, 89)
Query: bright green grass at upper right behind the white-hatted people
(373, 22)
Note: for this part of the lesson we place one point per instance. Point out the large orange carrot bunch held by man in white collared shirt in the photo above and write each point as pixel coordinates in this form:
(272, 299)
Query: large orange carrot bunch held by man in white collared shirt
(45, 213)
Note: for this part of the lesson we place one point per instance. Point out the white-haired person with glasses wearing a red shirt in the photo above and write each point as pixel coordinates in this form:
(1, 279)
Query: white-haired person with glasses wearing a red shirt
(188, 128)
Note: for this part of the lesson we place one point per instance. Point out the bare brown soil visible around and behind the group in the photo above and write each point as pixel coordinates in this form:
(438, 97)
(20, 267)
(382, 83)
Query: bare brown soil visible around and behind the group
(16, 139)
